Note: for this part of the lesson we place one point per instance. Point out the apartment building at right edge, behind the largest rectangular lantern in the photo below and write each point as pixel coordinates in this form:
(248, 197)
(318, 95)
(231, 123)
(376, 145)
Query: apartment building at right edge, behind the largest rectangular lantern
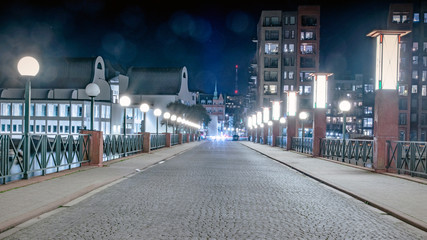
(413, 68)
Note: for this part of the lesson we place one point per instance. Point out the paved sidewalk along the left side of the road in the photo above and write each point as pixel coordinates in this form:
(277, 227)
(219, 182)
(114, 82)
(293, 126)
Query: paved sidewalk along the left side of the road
(25, 199)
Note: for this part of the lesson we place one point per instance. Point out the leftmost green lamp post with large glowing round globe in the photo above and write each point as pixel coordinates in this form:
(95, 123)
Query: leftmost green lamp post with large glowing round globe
(28, 67)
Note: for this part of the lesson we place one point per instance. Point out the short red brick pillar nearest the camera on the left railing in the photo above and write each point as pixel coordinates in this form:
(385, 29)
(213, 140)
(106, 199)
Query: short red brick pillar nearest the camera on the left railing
(96, 147)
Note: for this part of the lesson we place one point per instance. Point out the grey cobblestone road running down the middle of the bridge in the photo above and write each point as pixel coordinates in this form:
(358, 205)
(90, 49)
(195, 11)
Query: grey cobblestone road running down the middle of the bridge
(219, 191)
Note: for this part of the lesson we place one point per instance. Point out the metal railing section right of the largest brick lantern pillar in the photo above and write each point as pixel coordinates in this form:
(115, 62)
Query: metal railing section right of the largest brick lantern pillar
(407, 157)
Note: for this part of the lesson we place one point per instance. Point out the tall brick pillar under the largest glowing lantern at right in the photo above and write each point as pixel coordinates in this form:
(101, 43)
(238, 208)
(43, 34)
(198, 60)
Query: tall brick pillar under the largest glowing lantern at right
(386, 117)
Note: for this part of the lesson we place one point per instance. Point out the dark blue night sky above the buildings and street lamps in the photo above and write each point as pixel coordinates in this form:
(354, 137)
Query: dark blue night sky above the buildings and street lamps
(209, 39)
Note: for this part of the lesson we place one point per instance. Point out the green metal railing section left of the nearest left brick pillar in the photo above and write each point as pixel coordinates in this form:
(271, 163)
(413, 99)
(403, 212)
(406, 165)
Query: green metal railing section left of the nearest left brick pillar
(48, 153)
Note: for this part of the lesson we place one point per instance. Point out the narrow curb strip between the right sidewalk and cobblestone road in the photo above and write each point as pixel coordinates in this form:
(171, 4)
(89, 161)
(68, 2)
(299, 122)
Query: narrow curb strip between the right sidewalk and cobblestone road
(397, 214)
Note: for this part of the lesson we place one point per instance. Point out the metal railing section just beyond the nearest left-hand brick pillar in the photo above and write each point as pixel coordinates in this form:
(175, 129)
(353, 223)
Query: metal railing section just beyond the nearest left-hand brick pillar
(119, 145)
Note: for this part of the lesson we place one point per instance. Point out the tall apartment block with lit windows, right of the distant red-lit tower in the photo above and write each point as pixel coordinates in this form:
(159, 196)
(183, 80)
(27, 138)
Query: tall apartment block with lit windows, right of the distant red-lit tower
(287, 52)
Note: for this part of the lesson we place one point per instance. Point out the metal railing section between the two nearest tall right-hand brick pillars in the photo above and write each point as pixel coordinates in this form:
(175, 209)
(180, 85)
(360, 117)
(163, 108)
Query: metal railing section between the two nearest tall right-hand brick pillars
(353, 151)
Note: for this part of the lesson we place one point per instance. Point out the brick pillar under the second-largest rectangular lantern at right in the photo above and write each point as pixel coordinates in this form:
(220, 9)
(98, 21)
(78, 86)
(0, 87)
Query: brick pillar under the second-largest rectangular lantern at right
(319, 129)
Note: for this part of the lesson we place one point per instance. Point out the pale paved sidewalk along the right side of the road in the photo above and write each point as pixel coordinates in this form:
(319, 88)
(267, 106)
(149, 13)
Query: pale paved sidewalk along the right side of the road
(401, 197)
